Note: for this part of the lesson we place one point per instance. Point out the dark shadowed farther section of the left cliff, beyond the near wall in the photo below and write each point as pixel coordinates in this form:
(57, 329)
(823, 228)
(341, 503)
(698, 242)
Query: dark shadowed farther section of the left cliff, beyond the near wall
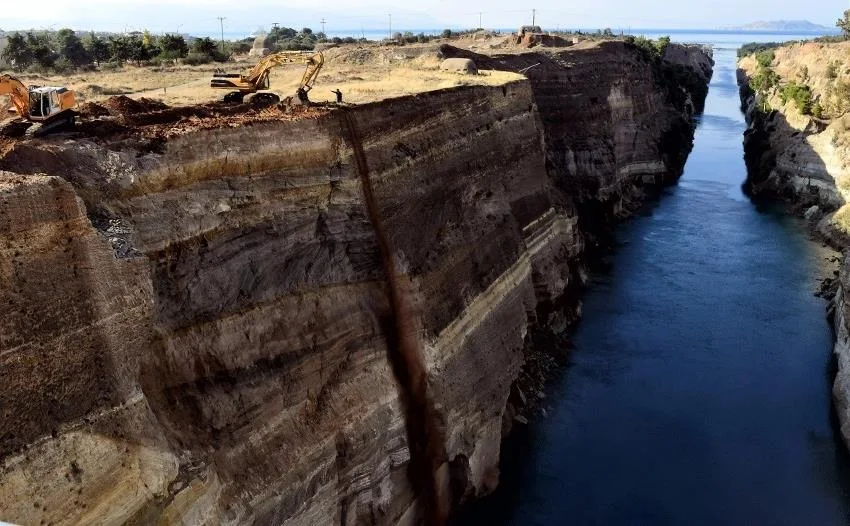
(618, 121)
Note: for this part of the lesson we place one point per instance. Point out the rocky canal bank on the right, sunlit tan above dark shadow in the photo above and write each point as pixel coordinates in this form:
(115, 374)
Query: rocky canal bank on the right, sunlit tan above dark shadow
(803, 161)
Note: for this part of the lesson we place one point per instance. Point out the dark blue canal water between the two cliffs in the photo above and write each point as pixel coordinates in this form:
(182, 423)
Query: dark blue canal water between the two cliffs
(698, 389)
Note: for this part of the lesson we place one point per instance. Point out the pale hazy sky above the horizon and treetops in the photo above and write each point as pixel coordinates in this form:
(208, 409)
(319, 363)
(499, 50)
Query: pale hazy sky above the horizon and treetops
(246, 16)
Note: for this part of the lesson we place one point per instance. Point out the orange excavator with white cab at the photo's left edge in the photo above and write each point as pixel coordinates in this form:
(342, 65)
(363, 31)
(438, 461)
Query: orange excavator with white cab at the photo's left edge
(50, 107)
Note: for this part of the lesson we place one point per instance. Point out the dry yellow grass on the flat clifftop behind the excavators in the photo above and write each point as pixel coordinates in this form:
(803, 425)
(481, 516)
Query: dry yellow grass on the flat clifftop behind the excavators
(362, 73)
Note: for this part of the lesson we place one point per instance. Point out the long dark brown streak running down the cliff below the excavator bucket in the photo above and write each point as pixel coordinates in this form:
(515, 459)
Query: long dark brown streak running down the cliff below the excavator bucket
(425, 437)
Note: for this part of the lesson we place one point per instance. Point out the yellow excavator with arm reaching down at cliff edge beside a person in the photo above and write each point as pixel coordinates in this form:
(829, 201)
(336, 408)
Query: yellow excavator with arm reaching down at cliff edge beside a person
(258, 78)
